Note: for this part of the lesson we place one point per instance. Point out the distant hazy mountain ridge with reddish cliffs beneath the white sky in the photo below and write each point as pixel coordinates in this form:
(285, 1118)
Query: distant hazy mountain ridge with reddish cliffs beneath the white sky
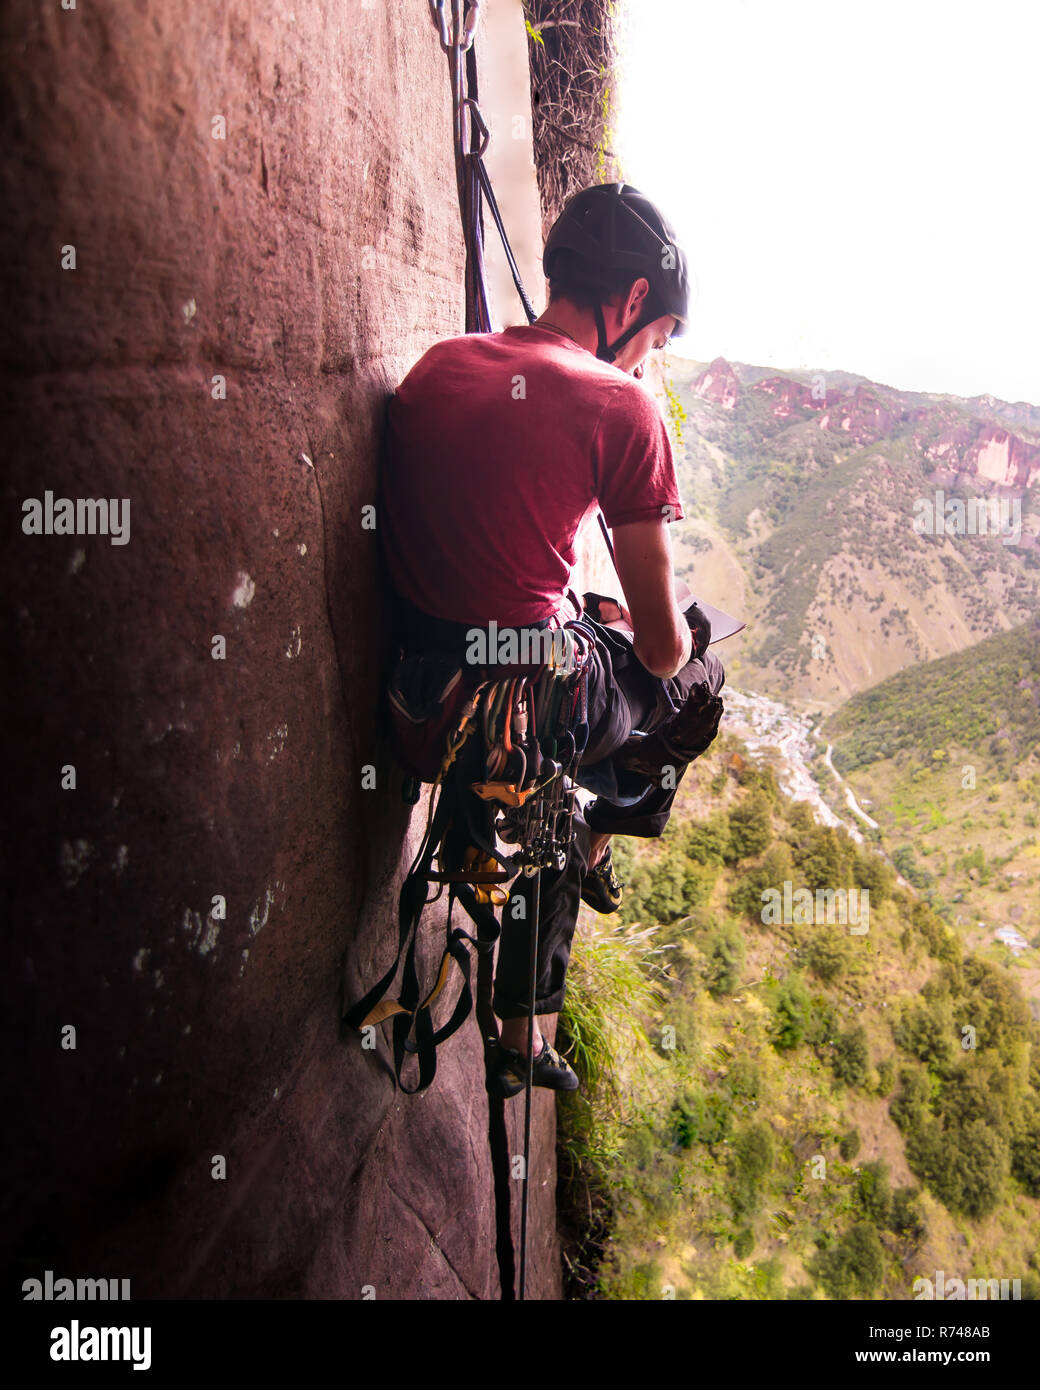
(810, 496)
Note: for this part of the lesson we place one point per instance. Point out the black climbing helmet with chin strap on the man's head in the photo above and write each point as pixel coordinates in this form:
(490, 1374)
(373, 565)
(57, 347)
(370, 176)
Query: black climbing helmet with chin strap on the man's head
(614, 227)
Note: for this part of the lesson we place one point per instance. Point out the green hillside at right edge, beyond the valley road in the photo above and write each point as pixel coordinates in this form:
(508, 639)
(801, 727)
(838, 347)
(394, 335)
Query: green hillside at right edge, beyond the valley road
(948, 760)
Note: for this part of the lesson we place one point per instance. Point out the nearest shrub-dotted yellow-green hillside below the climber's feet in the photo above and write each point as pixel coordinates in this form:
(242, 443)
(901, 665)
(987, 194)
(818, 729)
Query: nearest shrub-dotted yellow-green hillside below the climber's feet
(790, 1110)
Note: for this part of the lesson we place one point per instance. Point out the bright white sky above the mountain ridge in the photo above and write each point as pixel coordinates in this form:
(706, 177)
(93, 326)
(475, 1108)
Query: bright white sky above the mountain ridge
(854, 183)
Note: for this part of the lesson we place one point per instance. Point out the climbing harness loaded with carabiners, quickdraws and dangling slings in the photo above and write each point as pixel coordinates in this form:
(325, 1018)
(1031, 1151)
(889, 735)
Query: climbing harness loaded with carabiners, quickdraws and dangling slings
(508, 754)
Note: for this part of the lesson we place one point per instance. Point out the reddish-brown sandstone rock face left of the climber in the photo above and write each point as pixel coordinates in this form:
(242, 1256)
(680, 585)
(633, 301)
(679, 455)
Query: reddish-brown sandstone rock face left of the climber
(234, 230)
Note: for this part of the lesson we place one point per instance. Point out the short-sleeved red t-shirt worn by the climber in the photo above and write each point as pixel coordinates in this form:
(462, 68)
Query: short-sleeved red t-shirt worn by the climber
(498, 448)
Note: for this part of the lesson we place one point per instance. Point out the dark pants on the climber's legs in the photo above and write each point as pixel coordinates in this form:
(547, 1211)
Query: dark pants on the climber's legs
(624, 697)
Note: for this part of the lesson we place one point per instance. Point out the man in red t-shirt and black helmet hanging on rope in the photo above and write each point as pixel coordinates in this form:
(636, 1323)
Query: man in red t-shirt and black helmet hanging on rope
(500, 450)
